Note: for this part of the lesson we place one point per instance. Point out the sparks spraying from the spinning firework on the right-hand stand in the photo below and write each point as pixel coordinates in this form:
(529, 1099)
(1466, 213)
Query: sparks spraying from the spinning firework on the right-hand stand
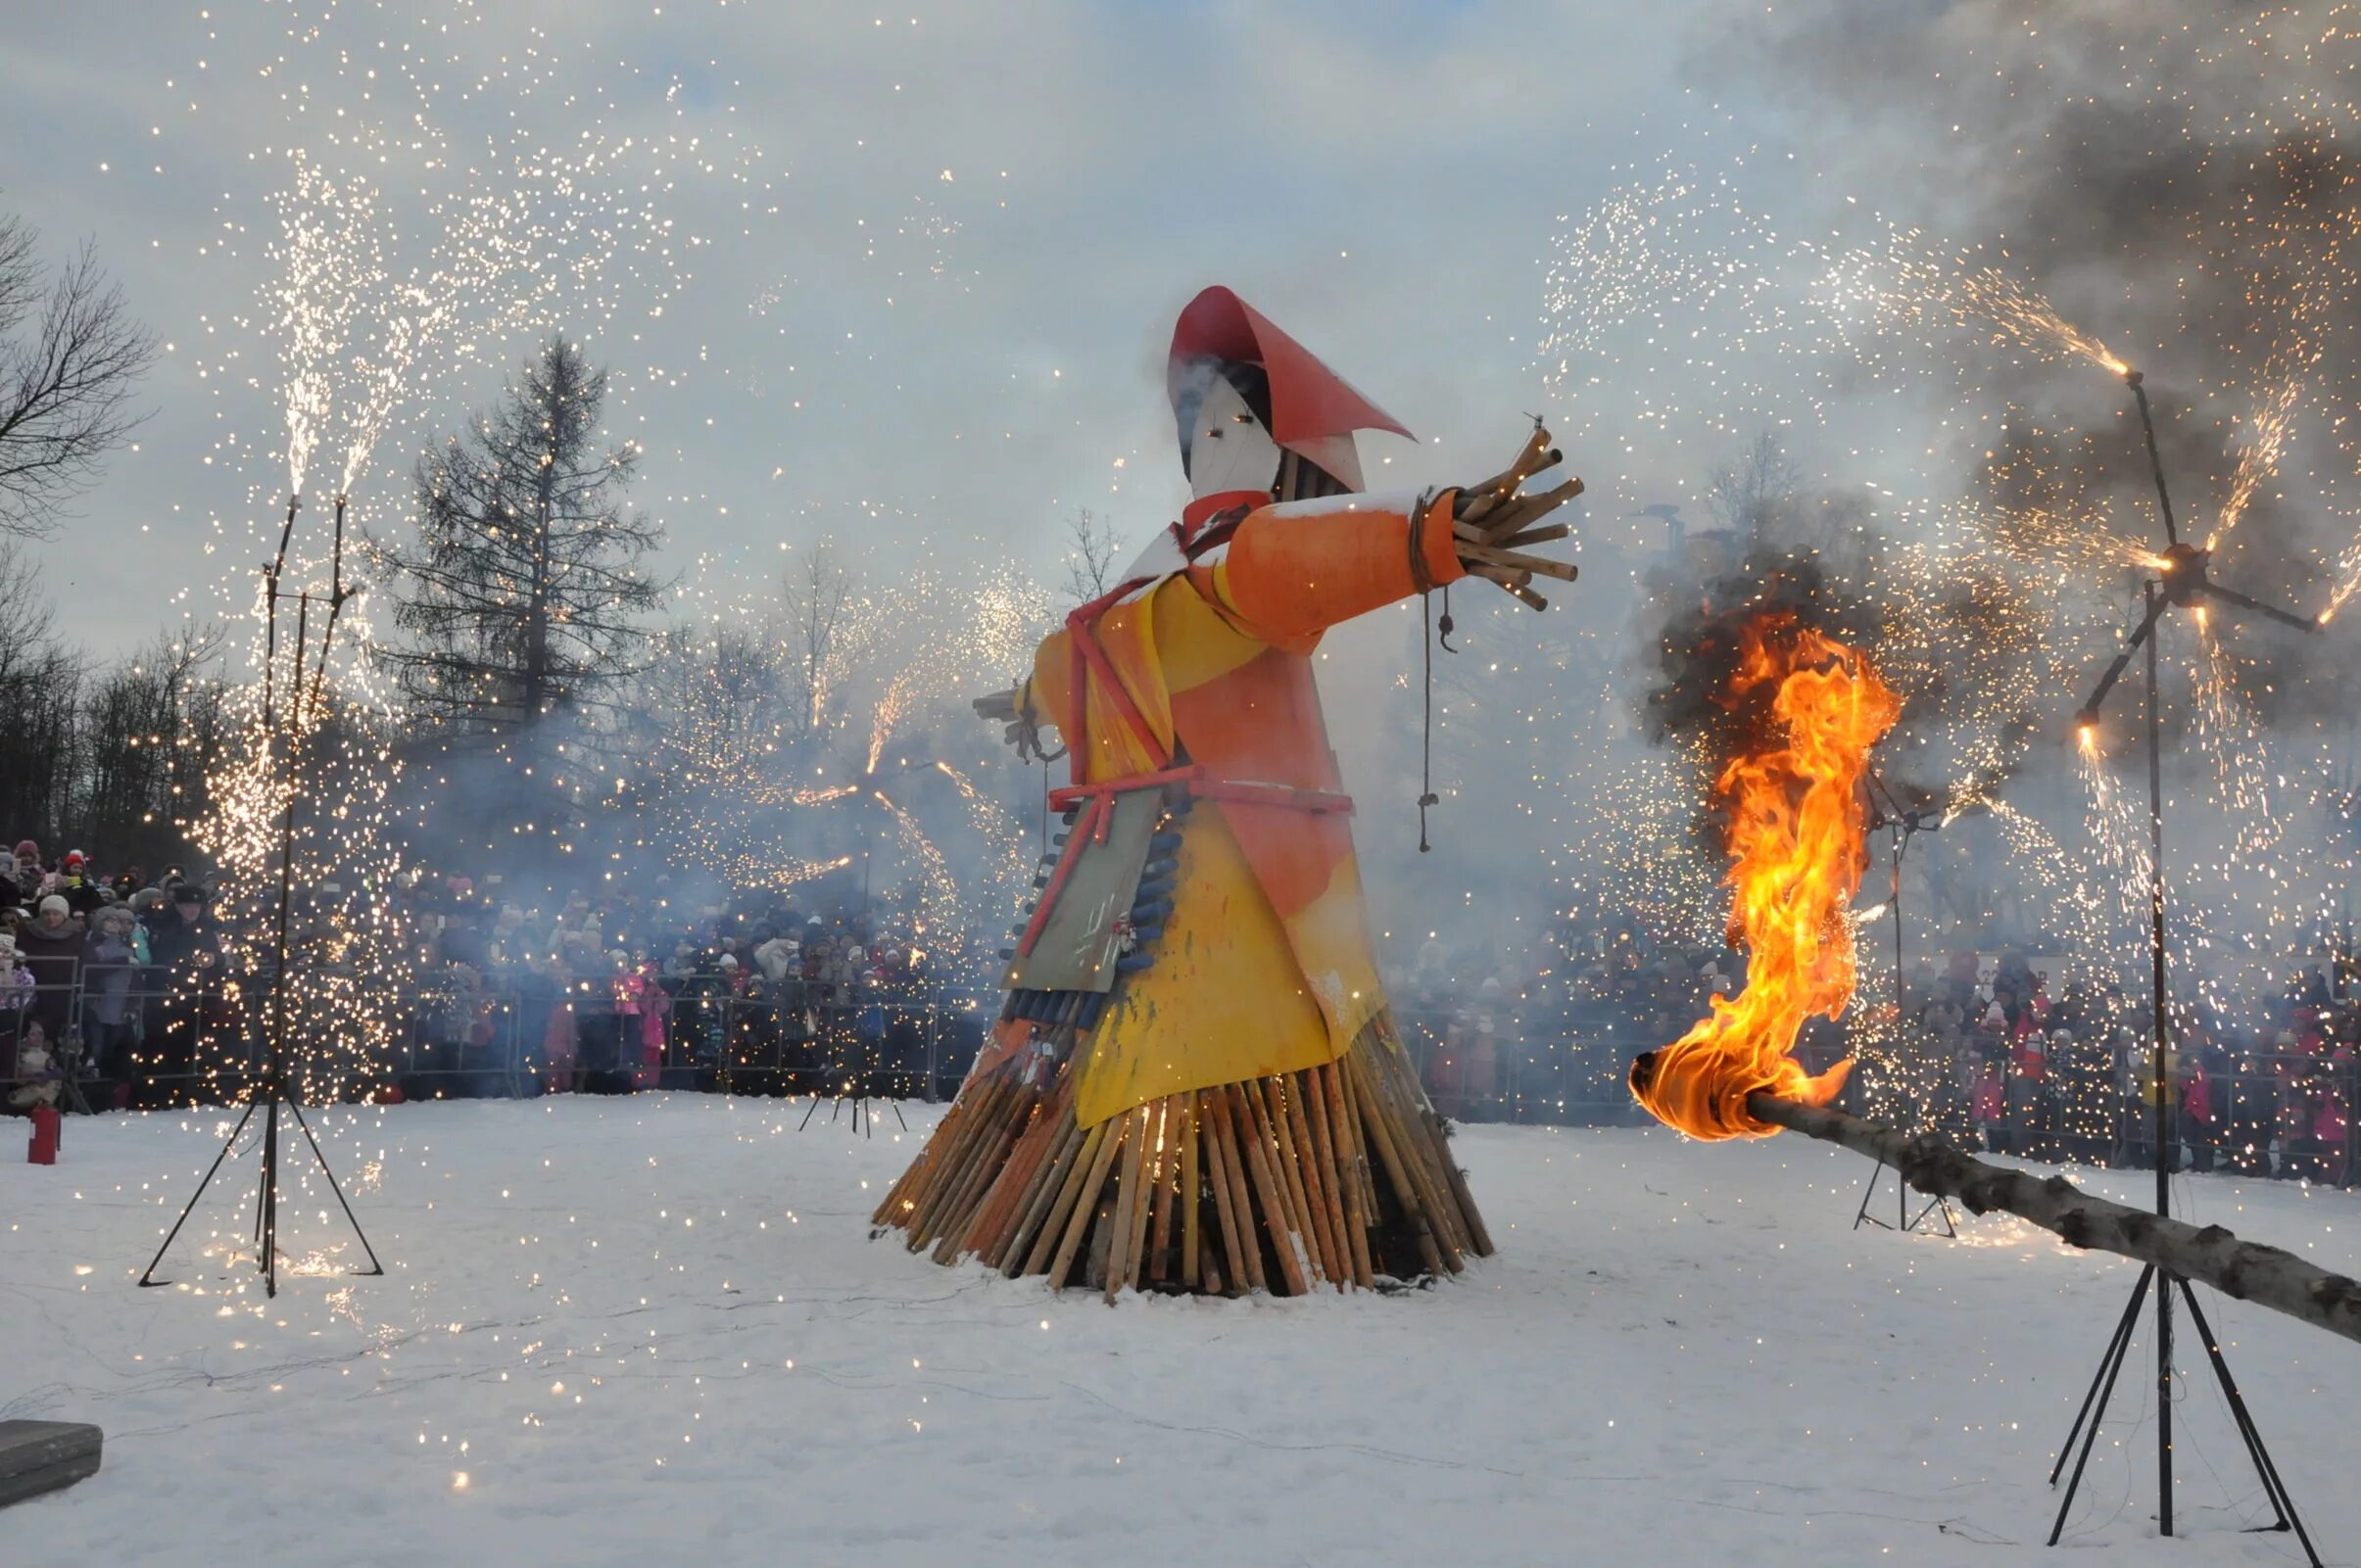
(1999, 537)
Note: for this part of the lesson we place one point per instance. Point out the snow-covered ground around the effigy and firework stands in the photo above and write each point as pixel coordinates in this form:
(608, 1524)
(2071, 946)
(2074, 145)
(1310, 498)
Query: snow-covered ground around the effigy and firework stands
(655, 1331)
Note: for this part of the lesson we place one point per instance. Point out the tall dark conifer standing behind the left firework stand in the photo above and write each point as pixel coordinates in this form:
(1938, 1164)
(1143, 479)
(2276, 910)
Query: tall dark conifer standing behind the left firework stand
(525, 587)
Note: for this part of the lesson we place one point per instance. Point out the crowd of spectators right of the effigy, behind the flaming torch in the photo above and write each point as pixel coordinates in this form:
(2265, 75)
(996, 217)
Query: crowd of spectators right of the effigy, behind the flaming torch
(1989, 1054)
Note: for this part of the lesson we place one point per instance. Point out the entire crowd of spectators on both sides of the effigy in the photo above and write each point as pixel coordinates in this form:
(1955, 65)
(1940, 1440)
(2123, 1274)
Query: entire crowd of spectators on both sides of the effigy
(115, 981)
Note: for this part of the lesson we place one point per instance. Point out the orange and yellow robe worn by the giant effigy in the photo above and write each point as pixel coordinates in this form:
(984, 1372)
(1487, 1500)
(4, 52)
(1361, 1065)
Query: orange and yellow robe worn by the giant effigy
(1267, 962)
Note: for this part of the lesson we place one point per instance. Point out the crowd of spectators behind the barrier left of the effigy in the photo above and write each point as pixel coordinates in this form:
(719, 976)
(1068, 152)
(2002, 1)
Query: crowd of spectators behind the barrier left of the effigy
(119, 991)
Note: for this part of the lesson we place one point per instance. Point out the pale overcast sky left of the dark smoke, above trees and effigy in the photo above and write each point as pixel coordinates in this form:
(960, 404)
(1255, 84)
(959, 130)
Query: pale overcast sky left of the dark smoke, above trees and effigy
(915, 277)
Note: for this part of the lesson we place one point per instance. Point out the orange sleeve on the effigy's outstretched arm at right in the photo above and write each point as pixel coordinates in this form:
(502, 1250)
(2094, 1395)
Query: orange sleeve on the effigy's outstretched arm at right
(1304, 566)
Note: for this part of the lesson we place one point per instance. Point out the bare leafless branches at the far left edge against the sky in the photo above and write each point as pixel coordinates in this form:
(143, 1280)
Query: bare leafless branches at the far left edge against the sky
(70, 355)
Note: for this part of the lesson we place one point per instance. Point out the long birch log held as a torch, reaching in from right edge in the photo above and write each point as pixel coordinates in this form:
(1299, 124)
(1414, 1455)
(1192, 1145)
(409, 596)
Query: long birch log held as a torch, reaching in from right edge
(2211, 1255)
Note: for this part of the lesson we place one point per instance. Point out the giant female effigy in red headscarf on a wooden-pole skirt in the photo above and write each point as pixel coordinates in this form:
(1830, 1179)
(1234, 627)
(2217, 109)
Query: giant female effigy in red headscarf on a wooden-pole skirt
(1196, 1083)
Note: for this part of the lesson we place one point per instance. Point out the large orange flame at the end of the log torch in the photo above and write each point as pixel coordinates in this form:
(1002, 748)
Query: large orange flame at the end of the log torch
(1798, 839)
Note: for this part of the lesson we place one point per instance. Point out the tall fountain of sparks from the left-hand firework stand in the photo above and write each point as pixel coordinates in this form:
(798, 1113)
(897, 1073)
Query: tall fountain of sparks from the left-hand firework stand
(417, 244)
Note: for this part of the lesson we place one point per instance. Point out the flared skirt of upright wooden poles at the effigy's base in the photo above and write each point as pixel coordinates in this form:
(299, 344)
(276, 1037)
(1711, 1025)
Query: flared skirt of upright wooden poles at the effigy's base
(1333, 1177)
